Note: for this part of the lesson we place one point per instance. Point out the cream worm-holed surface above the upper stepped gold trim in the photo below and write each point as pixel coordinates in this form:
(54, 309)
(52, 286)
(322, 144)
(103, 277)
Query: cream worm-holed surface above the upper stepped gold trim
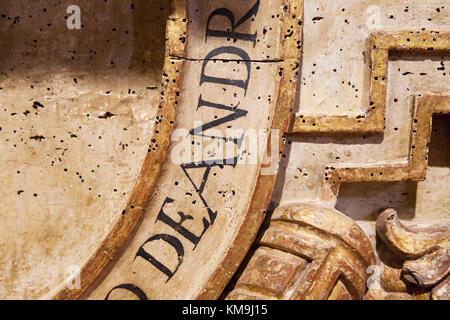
(341, 54)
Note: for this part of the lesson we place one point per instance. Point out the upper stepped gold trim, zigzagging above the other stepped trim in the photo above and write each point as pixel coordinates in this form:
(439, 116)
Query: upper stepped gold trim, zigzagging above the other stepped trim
(373, 119)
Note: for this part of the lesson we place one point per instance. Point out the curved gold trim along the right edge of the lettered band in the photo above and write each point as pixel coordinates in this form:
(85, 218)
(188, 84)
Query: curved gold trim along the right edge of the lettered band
(292, 40)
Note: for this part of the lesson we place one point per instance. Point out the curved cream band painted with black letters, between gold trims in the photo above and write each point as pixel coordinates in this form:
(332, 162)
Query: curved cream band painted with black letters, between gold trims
(228, 190)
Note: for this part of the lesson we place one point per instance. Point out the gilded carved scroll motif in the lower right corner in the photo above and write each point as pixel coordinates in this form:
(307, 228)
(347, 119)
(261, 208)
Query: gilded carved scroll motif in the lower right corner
(426, 254)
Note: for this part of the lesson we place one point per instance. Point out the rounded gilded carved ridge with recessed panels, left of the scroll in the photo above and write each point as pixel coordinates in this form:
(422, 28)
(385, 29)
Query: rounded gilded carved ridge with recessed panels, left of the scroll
(308, 252)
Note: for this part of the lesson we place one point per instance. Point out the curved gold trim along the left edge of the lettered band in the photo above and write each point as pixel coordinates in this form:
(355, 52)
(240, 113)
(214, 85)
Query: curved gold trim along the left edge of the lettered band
(131, 216)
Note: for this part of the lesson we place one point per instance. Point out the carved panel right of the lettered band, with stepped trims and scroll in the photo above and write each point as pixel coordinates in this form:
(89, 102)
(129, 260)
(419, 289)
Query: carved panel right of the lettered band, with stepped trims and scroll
(330, 149)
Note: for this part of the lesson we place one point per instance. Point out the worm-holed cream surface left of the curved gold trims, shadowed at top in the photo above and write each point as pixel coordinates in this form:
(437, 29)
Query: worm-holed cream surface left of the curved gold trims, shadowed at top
(77, 110)
